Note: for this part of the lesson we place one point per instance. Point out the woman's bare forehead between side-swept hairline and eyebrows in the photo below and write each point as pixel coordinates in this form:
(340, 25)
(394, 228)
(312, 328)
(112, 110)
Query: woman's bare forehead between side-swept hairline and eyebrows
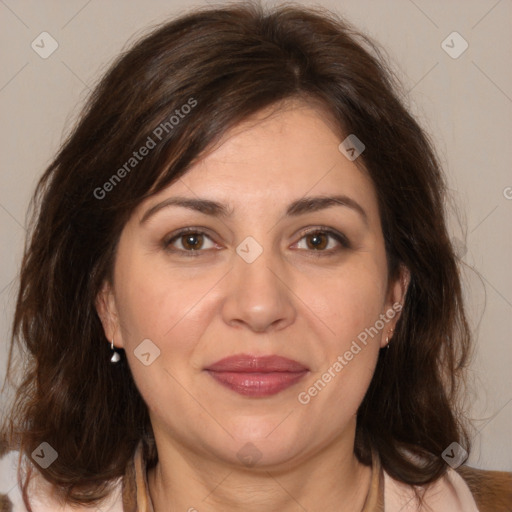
(276, 156)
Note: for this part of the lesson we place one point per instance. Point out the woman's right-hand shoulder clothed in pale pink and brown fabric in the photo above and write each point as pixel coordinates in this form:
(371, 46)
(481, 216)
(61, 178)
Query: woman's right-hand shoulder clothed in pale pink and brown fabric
(463, 490)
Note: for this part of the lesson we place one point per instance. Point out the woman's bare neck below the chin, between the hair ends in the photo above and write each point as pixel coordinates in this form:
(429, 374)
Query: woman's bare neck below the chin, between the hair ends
(185, 480)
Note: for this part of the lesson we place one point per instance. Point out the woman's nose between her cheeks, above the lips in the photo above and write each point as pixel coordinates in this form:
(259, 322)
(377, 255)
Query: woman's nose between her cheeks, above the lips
(259, 295)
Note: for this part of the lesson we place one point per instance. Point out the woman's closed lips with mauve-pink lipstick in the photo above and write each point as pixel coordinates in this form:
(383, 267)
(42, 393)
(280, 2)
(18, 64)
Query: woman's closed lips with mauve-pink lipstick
(257, 376)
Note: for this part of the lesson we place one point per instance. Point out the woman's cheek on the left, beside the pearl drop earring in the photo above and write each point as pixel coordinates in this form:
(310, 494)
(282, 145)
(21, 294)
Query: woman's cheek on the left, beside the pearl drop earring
(172, 310)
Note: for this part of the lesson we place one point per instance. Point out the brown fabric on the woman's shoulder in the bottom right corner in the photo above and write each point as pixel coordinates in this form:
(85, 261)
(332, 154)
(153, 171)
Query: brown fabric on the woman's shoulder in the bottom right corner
(492, 490)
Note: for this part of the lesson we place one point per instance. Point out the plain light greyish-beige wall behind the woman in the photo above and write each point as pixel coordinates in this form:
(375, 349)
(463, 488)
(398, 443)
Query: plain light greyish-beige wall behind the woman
(465, 103)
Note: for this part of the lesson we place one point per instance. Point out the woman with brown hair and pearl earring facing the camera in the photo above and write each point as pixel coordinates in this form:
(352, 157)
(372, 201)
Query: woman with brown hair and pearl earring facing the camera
(239, 292)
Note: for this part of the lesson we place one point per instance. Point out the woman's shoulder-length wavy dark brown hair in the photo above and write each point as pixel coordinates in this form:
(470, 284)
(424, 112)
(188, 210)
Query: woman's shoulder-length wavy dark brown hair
(227, 63)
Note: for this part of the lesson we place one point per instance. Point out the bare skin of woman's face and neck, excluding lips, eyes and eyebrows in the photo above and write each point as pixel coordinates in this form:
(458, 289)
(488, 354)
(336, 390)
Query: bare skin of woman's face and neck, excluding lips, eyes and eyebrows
(293, 300)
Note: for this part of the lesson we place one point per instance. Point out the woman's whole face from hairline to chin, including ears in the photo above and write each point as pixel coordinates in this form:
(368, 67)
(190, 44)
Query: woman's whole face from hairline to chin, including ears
(273, 275)
